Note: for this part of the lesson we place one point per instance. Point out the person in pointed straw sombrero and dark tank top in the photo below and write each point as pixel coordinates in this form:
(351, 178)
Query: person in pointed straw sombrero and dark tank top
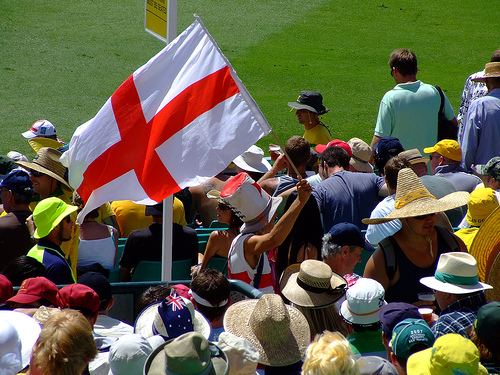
(402, 259)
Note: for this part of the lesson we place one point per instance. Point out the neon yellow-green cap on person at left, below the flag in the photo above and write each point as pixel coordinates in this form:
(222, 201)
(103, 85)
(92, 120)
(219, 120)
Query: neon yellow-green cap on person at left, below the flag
(48, 214)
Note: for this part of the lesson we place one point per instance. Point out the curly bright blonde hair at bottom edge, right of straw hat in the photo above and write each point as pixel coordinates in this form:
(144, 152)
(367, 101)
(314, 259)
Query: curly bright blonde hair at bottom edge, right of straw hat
(330, 354)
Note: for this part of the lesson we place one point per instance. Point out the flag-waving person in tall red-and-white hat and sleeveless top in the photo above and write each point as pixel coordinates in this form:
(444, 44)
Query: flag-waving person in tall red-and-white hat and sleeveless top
(257, 210)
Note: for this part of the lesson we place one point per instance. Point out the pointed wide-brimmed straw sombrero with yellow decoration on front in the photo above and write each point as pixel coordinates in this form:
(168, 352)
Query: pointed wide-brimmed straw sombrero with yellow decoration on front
(413, 199)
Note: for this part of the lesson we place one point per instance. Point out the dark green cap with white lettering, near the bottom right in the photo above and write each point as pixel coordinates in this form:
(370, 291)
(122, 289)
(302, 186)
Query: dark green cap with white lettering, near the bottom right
(408, 333)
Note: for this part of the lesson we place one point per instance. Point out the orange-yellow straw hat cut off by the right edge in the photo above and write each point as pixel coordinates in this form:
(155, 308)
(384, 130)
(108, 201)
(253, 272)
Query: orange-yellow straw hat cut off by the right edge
(486, 245)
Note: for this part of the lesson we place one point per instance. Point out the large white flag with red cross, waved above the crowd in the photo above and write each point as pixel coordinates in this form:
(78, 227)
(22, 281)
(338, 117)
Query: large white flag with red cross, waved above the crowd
(177, 121)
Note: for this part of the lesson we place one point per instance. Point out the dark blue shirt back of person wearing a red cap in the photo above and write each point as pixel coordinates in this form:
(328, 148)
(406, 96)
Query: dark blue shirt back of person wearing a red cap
(347, 197)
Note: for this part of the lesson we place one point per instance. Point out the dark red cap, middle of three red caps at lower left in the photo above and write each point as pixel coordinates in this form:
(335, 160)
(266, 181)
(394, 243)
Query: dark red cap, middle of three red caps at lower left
(33, 289)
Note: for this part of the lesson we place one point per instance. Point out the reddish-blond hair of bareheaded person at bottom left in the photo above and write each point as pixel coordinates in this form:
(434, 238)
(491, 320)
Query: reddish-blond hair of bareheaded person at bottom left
(65, 346)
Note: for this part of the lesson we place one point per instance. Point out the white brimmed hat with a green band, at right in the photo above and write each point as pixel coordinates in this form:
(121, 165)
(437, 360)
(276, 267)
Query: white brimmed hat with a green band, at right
(456, 273)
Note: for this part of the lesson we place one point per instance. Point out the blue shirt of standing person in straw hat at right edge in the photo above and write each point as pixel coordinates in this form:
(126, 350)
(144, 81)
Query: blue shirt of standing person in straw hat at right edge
(482, 130)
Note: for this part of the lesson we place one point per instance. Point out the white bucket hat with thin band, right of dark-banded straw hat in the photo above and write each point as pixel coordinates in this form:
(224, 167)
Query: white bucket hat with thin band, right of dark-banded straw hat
(363, 302)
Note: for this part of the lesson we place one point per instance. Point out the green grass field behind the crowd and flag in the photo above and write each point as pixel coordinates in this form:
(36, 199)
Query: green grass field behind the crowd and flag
(62, 60)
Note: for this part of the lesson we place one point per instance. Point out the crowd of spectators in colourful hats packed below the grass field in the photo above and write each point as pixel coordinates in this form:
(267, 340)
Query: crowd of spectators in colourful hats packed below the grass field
(369, 259)
